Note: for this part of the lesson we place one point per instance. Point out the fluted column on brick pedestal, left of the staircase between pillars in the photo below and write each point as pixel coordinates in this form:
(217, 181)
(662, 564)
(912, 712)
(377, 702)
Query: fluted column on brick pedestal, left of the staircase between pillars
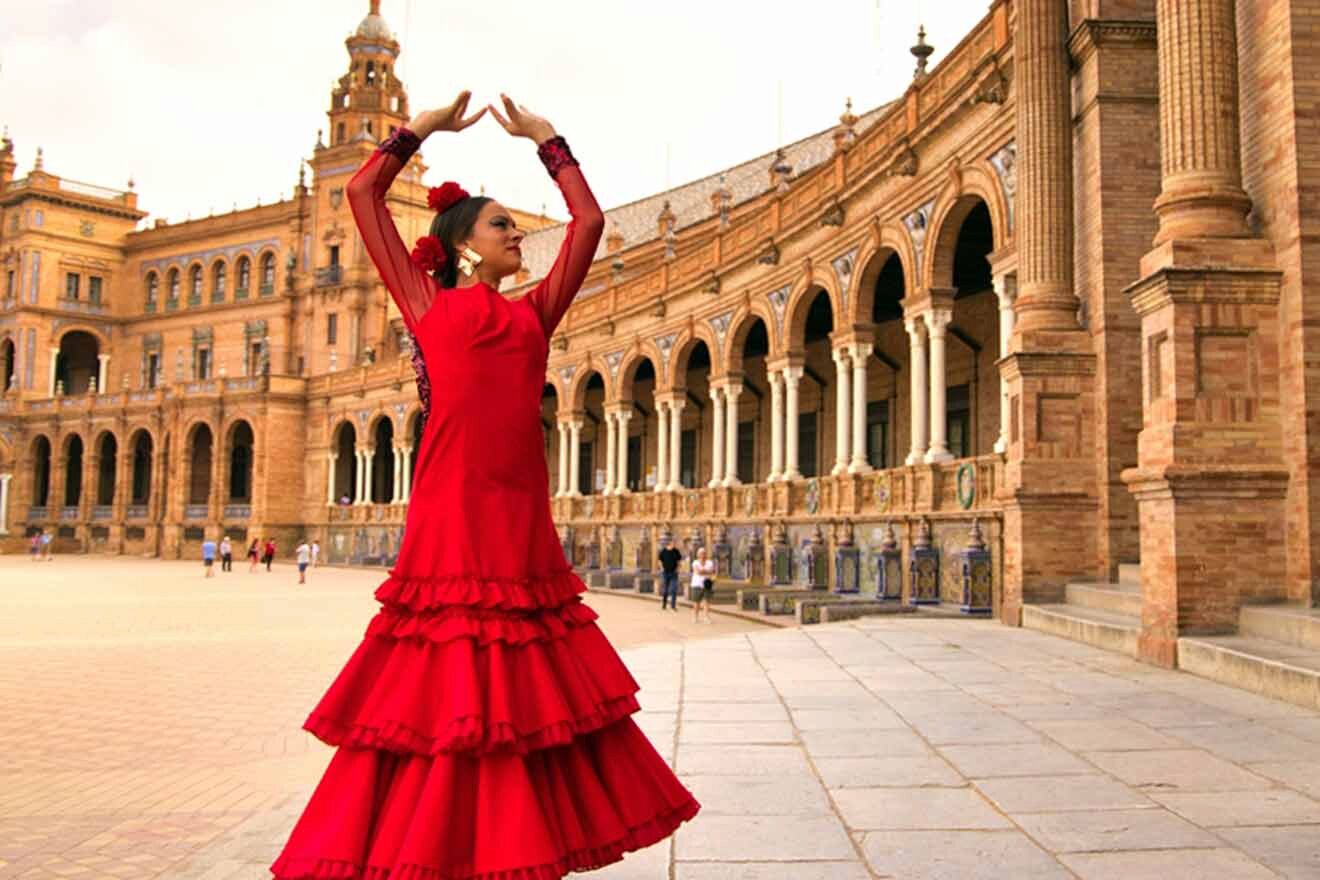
(1050, 480)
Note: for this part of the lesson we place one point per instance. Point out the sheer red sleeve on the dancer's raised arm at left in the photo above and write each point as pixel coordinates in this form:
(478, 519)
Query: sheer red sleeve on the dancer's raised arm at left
(411, 288)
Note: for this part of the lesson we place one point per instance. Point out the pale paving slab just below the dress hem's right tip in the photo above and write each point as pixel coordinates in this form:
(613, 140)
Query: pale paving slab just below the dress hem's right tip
(753, 838)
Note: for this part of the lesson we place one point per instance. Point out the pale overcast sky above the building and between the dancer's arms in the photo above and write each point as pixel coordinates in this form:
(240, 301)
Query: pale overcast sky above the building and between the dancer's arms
(213, 105)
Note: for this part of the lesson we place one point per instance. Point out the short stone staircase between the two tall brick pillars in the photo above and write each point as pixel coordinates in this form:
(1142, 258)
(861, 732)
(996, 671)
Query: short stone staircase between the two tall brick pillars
(1105, 615)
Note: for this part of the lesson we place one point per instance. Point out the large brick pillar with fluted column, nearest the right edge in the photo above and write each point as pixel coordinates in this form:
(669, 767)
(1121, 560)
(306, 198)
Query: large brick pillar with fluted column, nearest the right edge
(1211, 481)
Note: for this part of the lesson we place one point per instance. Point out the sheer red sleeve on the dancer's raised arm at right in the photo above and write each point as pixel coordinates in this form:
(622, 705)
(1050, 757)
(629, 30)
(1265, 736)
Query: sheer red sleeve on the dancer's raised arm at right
(555, 294)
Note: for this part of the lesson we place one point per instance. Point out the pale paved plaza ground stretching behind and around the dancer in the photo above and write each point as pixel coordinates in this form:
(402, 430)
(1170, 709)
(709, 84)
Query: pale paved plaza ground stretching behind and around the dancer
(150, 728)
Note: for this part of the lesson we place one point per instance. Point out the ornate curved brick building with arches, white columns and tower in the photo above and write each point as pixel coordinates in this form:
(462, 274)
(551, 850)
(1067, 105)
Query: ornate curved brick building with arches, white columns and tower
(1049, 299)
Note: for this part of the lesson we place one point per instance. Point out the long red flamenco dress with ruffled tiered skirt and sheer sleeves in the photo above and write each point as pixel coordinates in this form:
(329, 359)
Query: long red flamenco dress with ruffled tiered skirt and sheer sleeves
(482, 728)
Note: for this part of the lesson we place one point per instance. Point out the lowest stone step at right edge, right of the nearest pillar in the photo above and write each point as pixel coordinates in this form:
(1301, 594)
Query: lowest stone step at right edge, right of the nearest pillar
(1260, 666)
